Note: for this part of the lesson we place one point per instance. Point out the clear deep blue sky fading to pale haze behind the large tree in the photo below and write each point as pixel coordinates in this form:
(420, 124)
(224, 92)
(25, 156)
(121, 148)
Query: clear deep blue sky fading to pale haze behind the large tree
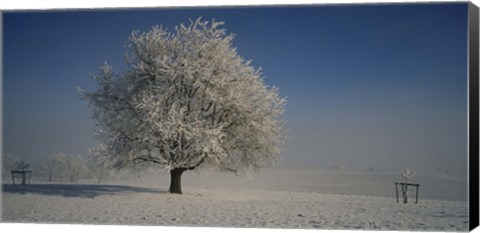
(381, 86)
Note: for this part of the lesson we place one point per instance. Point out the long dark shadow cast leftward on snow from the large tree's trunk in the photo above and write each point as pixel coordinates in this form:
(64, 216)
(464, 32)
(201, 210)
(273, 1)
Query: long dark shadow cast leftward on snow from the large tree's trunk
(76, 190)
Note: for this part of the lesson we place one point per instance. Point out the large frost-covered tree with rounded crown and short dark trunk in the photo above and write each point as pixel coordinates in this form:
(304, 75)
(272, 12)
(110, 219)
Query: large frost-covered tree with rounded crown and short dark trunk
(186, 101)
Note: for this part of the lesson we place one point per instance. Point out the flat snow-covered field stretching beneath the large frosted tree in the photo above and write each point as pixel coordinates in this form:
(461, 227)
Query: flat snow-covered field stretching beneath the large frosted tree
(276, 198)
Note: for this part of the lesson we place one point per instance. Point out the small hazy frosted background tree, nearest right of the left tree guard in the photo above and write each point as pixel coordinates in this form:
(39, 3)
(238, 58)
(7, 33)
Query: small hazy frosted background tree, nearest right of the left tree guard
(53, 166)
